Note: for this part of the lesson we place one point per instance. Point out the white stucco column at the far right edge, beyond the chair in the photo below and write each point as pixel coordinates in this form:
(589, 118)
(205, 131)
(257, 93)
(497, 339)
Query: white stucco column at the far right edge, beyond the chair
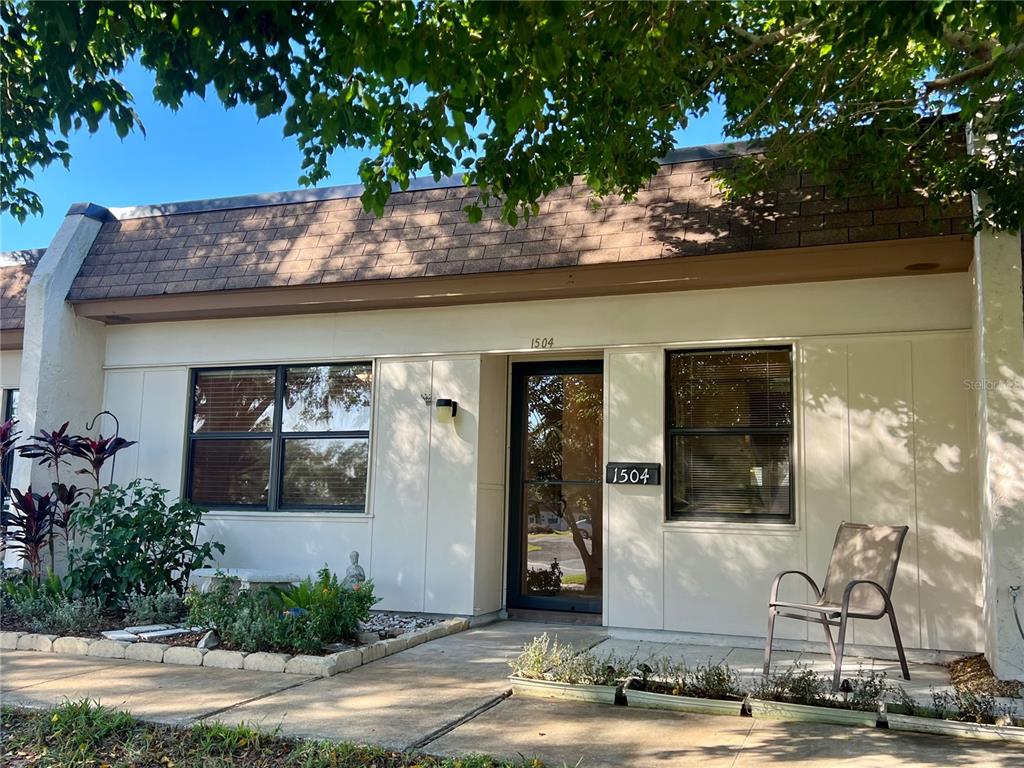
(999, 336)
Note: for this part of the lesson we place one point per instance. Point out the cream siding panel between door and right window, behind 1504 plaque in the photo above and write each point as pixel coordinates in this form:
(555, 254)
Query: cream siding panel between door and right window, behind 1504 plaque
(635, 565)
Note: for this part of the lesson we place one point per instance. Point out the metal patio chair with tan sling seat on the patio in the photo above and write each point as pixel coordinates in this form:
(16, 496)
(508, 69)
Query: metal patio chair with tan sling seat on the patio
(859, 585)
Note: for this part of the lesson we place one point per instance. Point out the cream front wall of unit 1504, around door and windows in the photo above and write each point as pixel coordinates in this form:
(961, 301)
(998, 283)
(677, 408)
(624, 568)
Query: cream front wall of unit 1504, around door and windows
(880, 434)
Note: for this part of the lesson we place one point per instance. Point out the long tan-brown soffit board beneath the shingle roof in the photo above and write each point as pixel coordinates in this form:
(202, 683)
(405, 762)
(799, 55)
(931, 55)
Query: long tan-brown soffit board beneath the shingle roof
(807, 265)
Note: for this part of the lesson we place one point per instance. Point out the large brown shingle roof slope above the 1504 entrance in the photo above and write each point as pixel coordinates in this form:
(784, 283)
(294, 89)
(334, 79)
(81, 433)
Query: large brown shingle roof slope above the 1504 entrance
(425, 233)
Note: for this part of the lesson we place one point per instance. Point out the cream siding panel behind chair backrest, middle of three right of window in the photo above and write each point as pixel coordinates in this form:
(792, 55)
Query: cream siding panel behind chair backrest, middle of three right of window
(882, 475)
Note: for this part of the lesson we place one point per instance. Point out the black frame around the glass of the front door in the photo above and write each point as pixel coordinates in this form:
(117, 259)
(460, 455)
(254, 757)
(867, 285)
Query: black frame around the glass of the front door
(518, 437)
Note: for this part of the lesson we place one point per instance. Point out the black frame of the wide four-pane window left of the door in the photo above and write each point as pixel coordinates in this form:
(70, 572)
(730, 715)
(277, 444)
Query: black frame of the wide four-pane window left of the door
(277, 439)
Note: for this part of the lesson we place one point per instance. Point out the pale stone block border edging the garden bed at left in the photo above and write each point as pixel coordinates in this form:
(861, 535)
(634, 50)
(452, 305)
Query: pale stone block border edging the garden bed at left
(326, 666)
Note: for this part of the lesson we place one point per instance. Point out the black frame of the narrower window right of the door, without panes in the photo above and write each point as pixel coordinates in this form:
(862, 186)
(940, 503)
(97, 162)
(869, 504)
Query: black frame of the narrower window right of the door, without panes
(671, 516)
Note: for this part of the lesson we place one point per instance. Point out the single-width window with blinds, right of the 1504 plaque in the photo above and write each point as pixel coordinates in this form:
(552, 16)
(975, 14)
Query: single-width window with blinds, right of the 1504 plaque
(730, 436)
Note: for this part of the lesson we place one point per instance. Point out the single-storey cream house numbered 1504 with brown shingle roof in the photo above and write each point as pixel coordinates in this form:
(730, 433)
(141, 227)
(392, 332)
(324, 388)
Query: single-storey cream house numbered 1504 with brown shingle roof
(639, 412)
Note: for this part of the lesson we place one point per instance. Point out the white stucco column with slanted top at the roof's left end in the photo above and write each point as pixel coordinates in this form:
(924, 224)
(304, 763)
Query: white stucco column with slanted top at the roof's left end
(62, 375)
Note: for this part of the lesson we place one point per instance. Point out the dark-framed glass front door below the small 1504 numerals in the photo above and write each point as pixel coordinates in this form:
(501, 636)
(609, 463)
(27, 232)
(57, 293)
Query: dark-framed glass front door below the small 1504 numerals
(556, 536)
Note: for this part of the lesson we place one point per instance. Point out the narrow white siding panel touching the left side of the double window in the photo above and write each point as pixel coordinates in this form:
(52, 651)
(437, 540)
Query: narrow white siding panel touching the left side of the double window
(162, 432)
